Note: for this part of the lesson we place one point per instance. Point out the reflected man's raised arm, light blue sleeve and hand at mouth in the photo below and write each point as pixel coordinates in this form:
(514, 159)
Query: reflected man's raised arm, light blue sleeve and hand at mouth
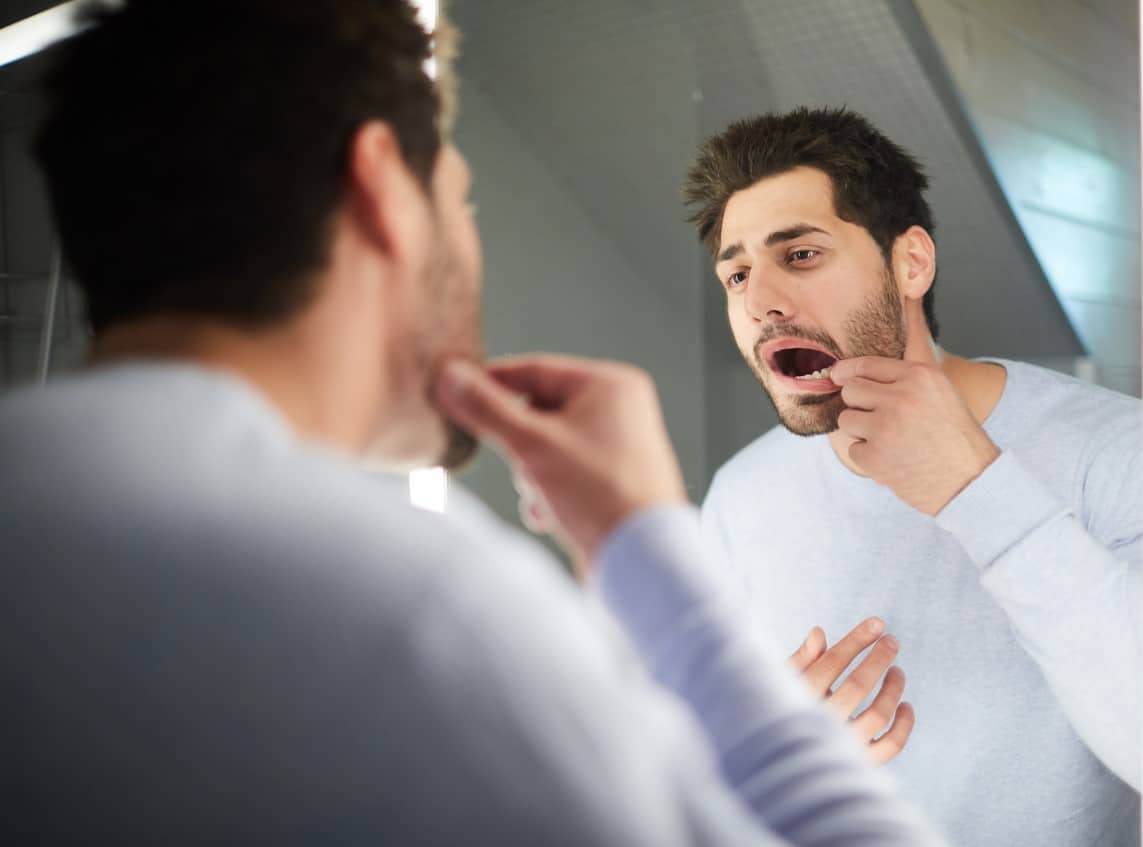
(1073, 600)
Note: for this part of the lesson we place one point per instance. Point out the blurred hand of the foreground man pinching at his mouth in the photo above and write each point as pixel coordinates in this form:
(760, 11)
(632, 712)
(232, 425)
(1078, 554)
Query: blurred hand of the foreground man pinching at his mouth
(588, 444)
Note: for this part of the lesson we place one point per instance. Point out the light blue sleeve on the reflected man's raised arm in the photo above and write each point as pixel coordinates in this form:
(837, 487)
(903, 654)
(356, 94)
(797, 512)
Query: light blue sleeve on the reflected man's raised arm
(1074, 601)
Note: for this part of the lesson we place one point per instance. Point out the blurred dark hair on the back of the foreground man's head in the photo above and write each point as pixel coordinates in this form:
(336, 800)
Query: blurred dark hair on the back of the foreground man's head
(195, 150)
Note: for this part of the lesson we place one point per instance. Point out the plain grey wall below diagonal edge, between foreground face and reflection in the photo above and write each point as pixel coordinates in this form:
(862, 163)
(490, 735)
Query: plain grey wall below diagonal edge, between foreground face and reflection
(556, 279)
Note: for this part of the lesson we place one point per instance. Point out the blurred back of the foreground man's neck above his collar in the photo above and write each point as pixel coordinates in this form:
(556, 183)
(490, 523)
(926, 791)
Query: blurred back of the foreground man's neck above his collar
(283, 363)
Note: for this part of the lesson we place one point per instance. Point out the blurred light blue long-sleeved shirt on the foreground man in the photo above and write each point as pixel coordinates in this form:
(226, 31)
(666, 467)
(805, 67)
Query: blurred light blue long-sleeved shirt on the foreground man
(214, 633)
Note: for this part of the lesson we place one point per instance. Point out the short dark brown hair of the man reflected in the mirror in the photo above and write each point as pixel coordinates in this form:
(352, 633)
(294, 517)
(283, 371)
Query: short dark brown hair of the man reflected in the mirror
(876, 183)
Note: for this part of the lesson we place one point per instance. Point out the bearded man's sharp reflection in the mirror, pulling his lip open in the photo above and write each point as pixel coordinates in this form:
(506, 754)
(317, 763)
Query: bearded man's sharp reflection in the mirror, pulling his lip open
(987, 512)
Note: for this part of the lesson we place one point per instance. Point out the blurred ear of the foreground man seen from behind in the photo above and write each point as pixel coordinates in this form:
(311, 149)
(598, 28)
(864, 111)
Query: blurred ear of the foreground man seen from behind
(382, 191)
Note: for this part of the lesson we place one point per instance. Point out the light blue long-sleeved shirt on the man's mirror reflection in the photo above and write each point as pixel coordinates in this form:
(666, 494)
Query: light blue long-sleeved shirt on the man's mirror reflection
(1018, 609)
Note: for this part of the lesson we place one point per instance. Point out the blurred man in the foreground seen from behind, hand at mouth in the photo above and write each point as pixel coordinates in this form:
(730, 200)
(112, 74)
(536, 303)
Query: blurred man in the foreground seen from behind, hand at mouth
(218, 628)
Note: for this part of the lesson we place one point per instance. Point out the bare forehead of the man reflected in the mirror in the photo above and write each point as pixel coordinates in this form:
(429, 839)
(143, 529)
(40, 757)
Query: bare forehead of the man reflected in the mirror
(803, 195)
